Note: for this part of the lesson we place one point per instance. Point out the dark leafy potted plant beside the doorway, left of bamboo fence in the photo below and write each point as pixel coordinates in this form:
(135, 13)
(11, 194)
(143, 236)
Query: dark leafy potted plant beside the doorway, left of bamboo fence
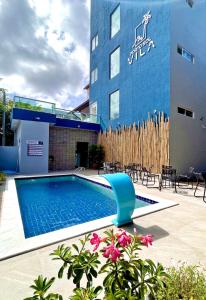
(96, 156)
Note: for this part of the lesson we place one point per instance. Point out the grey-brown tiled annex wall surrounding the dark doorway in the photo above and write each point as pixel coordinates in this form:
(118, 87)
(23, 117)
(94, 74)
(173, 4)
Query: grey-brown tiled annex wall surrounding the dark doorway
(62, 146)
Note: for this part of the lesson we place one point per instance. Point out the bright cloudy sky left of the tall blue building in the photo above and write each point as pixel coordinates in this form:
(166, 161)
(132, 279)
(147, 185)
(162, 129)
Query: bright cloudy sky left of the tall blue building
(44, 49)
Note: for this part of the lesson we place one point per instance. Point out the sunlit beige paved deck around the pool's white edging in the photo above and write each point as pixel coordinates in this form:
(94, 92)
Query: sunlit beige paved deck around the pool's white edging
(179, 235)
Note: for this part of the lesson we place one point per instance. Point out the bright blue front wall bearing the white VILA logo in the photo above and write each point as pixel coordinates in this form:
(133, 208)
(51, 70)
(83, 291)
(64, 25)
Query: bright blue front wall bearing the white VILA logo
(144, 85)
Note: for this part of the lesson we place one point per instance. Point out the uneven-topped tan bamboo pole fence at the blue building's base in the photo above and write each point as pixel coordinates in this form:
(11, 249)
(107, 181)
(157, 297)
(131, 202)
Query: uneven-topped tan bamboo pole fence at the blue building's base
(146, 143)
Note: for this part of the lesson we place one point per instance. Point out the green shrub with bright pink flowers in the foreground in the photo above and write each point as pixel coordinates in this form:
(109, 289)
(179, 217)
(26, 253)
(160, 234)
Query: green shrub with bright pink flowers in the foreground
(126, 276)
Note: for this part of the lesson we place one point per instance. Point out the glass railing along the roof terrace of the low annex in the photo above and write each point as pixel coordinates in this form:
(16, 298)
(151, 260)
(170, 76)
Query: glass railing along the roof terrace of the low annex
(48, 107)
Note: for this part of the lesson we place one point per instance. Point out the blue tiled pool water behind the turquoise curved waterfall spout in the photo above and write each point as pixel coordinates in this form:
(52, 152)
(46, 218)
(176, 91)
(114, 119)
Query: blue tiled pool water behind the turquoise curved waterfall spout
(51, 203)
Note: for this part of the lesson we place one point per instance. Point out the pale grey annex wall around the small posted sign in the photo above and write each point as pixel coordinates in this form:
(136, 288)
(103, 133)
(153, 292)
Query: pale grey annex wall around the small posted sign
(31, 130)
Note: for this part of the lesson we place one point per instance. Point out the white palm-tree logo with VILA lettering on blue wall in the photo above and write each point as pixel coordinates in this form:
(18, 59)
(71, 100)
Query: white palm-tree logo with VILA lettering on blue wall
(143, 43)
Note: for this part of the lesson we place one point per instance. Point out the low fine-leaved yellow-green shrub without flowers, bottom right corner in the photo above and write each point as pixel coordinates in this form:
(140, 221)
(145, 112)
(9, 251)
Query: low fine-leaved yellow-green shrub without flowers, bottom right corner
(184, 282)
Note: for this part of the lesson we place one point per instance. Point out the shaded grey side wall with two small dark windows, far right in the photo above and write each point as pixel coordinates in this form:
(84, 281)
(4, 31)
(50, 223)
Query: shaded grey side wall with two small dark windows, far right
(188, 86)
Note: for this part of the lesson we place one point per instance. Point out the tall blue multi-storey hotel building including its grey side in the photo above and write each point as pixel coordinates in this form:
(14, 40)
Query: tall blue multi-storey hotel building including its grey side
(150, 57)
